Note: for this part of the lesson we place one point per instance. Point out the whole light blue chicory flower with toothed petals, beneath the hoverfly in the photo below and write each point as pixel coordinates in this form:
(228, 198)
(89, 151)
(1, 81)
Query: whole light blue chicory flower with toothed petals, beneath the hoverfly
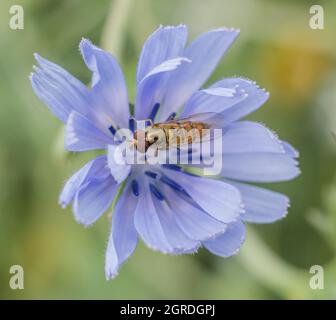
(169, 209)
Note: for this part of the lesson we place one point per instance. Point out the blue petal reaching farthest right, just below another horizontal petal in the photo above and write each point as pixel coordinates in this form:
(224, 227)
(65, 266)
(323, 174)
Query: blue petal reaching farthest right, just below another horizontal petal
(259, 167)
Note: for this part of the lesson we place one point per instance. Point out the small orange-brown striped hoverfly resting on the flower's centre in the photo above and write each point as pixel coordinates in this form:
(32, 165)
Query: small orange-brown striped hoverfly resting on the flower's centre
(177, 132)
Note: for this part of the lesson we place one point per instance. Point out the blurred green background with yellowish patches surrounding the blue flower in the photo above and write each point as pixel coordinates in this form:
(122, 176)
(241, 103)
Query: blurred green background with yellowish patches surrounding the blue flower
(61, 259)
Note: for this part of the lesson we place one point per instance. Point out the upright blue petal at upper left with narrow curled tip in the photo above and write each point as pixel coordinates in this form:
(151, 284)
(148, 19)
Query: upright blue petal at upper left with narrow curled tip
(109, 91)
